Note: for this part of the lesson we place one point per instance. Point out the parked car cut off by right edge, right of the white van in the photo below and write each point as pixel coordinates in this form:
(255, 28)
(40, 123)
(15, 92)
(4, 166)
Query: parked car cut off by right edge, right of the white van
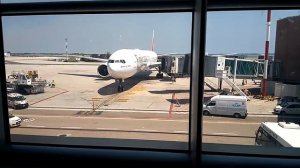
(288, 108)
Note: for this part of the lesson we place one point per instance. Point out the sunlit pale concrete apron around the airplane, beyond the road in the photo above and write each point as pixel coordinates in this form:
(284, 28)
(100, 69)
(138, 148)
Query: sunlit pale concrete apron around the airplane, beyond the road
(78, 86)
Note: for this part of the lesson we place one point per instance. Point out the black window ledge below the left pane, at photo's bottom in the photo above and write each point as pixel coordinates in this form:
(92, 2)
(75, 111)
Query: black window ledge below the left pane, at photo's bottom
(17, 155)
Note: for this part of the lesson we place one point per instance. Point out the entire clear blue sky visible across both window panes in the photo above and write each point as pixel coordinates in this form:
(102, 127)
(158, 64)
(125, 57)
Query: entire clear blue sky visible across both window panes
(227, 32)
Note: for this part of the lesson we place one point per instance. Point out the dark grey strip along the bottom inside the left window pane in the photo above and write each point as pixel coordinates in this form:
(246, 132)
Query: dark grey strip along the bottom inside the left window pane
(100, 142)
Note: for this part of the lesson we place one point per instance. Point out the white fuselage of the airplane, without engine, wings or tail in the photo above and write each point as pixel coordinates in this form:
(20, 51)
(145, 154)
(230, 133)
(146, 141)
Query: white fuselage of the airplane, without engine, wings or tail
(125, 63)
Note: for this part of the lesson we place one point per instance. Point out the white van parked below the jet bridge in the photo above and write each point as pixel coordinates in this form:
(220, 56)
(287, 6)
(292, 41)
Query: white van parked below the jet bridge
(226, 105)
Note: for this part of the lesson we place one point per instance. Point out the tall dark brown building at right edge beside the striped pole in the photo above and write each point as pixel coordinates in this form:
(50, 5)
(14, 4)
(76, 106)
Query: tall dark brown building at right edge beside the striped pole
(287, 49)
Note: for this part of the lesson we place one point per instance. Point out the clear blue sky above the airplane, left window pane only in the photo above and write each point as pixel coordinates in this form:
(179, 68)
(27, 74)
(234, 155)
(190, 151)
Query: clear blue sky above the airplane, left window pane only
(98, 33)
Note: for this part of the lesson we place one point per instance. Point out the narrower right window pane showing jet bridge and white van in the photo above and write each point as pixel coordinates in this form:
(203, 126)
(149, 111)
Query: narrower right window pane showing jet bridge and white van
(246, 87)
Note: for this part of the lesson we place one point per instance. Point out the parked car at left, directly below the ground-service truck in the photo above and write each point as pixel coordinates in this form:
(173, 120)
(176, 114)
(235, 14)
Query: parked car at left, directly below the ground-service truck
(16, 100)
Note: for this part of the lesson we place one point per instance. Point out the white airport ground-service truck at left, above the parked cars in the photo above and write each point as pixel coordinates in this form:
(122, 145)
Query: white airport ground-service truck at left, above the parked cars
(25, 82)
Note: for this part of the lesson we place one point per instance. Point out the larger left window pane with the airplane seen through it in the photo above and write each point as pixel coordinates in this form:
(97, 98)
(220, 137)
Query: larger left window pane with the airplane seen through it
(77, 98)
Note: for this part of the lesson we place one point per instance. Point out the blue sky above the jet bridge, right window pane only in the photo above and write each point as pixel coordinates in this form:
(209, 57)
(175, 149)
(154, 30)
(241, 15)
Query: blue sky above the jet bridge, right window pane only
(242, 31)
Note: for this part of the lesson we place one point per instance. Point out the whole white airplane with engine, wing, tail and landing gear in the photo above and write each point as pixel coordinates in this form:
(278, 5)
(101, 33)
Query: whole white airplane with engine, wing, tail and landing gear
(125, 63)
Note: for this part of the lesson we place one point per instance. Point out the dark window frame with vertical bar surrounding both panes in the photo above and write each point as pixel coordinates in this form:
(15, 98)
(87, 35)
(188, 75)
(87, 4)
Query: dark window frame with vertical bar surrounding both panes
(198, 155)
